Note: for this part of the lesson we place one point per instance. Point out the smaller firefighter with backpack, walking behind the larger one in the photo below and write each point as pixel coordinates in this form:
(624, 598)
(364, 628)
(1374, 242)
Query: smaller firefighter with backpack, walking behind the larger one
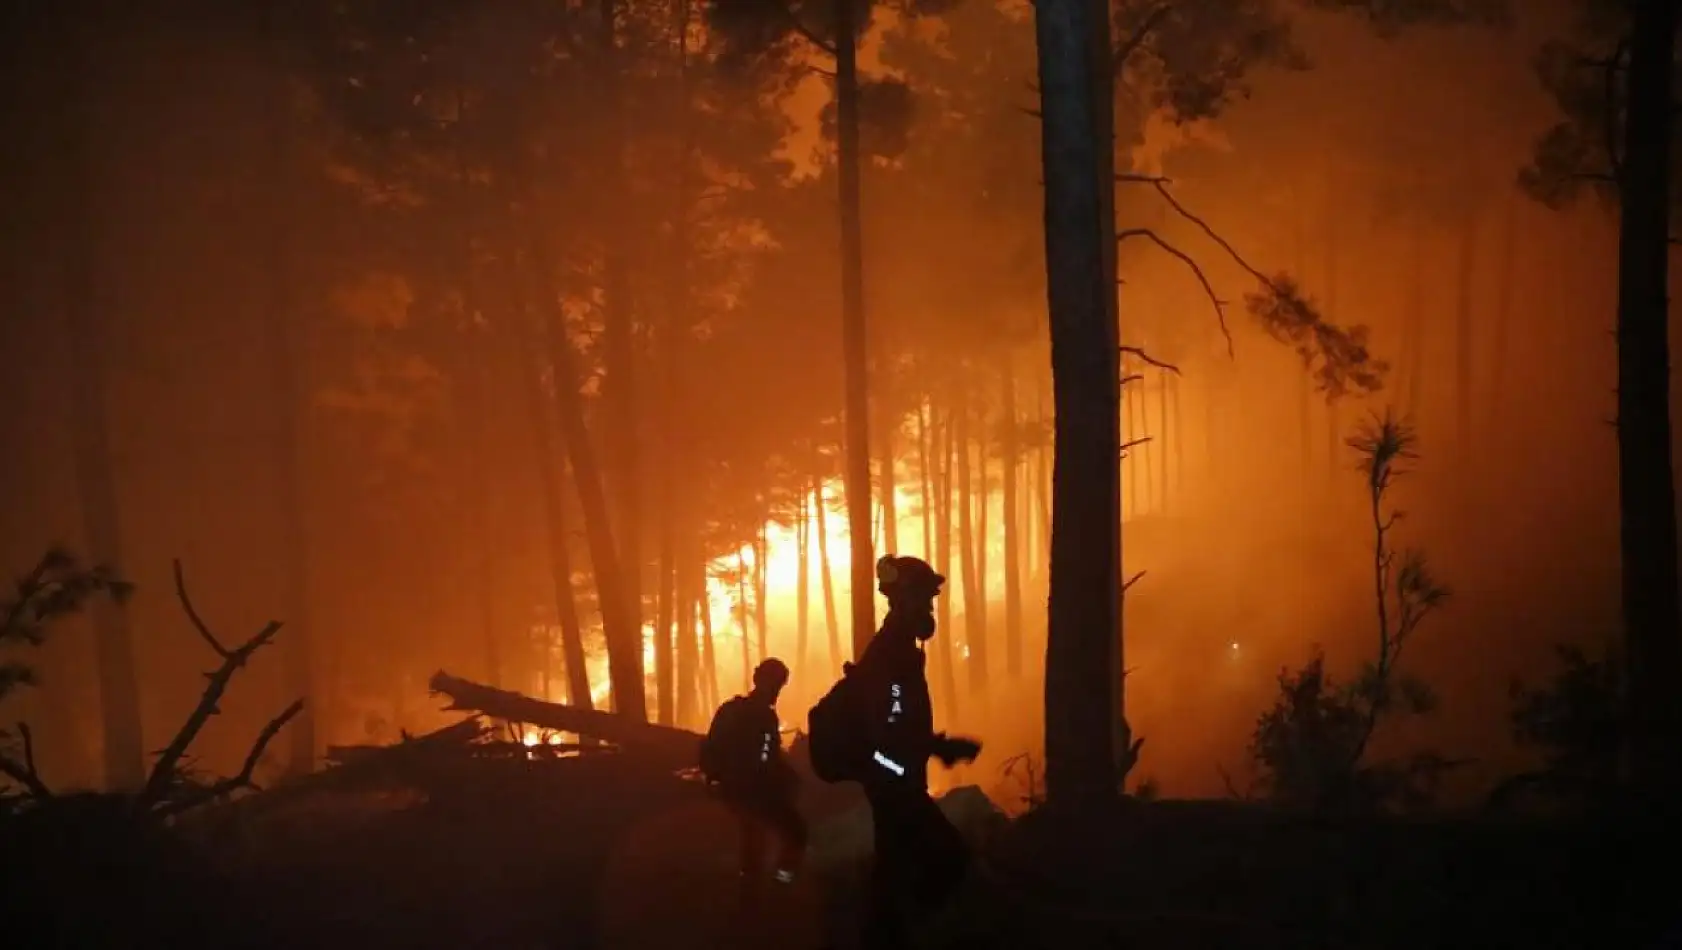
(743, 759)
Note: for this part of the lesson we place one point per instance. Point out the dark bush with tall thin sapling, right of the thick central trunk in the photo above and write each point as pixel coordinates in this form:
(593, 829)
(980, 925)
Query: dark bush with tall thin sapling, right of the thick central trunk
(1311, 746)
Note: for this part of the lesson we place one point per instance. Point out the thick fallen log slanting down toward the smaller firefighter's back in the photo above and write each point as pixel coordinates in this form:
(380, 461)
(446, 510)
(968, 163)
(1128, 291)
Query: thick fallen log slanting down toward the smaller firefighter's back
(665, 747)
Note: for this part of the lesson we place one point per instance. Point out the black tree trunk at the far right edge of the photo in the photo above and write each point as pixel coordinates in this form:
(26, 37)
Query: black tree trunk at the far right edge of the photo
(1646, 467)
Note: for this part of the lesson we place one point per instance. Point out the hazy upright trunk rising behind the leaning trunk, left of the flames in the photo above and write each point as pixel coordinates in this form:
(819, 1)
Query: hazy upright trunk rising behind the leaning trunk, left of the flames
(620, 399)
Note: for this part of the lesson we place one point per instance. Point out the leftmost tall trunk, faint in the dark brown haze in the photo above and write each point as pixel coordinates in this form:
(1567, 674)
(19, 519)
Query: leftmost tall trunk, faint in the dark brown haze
(88, 303)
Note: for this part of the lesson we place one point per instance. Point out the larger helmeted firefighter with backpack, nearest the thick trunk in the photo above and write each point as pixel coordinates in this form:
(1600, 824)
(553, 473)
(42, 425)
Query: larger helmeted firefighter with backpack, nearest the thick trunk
(877, 727)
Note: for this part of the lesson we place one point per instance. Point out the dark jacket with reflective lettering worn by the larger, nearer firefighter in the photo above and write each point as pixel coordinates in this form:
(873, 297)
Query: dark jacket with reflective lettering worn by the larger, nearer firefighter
(896, 694)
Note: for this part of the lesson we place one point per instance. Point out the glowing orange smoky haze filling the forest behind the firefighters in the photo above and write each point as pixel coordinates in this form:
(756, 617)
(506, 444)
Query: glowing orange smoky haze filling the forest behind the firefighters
(336, 258)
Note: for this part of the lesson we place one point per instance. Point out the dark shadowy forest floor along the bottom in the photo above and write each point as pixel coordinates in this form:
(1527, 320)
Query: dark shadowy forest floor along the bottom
(596, 853)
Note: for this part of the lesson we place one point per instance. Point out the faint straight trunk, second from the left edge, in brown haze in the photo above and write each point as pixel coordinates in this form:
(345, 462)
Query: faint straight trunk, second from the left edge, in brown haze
(285, 357)
